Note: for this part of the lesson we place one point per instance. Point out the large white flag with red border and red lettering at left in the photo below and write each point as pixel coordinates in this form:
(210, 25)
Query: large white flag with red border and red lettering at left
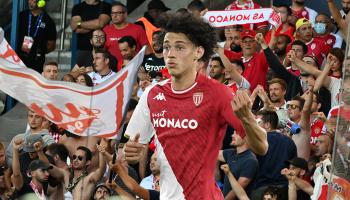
(84, 111)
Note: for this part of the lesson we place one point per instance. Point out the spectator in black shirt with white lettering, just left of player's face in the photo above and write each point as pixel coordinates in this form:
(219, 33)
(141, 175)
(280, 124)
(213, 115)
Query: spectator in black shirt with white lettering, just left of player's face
(154, 63)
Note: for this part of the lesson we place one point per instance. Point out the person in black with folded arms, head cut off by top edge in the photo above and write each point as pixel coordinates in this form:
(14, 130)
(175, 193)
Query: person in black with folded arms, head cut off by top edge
(88, 16)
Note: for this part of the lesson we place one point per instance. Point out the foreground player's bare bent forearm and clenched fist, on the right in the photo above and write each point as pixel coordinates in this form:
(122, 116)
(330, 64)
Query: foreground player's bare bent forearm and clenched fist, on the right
(256, 137)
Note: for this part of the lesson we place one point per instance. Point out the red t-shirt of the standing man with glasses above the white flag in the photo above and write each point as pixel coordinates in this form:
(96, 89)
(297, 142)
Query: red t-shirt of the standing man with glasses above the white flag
(113, 35)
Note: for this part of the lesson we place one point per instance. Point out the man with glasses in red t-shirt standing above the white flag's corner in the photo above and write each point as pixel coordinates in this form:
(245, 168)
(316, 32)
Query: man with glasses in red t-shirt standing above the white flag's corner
(119, 28)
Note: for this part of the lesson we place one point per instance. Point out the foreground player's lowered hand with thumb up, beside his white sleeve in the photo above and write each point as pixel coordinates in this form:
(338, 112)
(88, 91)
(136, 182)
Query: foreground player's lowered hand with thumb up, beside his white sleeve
(133, 150)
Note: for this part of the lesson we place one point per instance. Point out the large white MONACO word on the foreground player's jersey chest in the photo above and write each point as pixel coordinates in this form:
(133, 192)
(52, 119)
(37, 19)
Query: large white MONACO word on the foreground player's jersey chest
(175, 123)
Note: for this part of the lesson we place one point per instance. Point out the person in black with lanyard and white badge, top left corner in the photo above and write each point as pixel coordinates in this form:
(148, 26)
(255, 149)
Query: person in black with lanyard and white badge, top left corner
(36, 36)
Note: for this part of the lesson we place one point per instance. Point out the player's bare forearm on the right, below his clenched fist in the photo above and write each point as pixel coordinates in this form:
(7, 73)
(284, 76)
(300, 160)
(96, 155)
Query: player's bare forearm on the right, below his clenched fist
(256, 136)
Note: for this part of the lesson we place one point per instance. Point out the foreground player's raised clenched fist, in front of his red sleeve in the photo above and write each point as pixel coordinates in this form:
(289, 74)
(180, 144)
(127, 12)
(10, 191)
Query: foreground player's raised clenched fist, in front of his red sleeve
(242, 105)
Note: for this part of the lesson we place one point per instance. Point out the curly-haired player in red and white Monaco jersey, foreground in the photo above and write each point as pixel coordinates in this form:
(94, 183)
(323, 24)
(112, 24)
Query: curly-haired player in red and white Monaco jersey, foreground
(189, 114)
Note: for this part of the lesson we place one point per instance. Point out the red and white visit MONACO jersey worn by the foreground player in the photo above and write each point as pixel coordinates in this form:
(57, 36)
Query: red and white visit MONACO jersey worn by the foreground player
(189, 127)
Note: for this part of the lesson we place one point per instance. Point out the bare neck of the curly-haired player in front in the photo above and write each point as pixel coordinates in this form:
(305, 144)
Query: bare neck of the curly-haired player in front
(184, 82)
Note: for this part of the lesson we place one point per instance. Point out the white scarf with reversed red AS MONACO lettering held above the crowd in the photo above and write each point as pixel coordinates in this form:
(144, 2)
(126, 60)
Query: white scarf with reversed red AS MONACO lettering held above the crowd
(235, 17)
